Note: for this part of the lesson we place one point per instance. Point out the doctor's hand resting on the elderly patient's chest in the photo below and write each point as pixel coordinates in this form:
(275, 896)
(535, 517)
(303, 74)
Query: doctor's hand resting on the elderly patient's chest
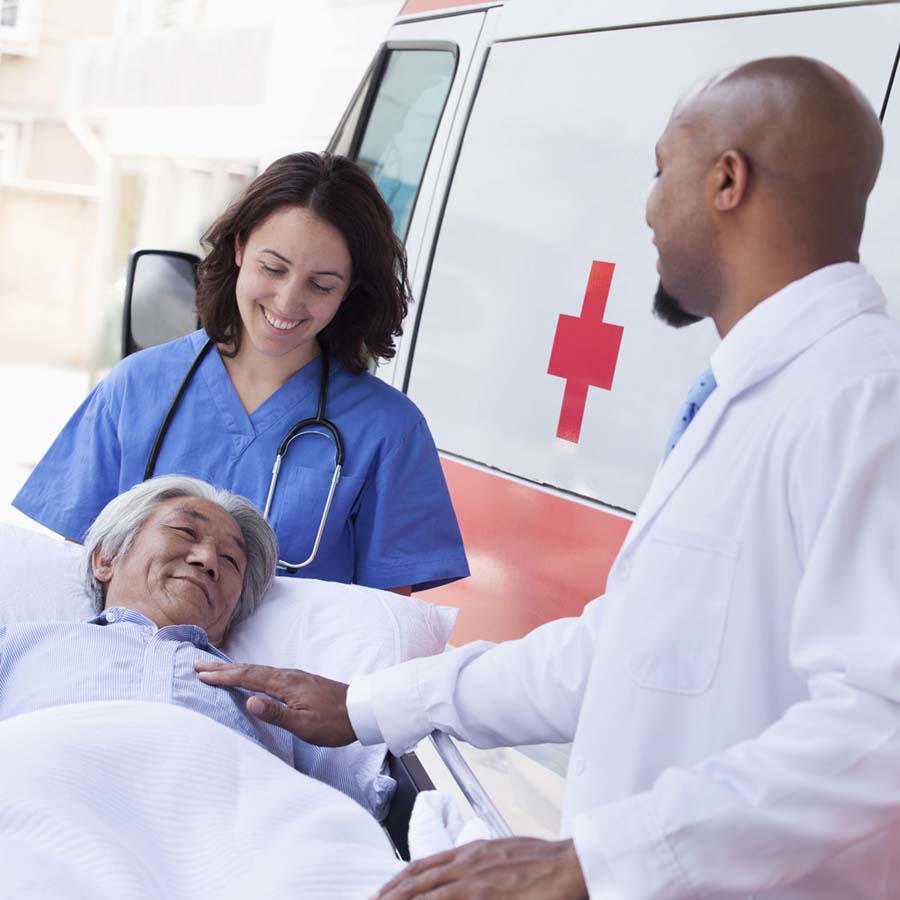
(313, 708)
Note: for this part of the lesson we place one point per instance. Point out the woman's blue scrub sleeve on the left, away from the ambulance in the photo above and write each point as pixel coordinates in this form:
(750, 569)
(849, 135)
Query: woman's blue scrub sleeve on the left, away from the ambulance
(80, 472)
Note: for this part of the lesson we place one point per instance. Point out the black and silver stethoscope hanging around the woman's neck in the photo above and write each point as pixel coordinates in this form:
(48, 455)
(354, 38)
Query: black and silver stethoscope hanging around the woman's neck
(318, 420)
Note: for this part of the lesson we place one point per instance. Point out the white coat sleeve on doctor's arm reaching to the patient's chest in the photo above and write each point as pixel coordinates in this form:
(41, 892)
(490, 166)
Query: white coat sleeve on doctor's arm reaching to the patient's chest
(520, 692)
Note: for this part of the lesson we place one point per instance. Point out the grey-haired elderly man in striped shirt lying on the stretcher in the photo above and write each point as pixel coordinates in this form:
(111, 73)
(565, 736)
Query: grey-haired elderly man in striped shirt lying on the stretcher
(171, 565)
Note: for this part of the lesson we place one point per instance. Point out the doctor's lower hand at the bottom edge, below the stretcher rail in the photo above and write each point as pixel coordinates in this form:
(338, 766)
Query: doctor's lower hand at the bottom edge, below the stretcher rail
(513, 867)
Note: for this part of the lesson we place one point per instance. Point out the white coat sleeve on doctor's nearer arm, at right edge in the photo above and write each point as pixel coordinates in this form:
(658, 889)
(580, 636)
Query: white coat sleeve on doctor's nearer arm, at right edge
(825, 775)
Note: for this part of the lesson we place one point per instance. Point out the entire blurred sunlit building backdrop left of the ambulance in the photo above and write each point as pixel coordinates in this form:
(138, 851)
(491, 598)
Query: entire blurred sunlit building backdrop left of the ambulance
(130, 123)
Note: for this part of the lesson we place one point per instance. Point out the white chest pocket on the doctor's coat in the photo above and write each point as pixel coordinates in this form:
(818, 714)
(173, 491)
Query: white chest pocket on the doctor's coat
(677, 600)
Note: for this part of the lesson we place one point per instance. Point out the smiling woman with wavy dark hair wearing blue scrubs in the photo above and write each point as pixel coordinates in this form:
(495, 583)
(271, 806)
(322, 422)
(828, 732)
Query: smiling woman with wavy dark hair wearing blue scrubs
(305, 262)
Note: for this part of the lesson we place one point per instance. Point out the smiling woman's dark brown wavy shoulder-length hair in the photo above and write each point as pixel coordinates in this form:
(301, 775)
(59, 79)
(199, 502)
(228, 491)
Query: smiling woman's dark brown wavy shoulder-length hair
(340, 192)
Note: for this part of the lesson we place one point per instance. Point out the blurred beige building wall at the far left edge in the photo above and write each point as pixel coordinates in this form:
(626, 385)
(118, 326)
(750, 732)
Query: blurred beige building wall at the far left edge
(48, 185)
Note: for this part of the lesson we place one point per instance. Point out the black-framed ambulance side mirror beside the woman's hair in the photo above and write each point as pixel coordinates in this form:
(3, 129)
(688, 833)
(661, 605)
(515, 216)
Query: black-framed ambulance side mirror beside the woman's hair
(160, 292)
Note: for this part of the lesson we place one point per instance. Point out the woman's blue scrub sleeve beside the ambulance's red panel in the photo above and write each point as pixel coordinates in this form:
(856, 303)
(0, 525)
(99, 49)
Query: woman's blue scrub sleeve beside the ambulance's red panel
(405, 529)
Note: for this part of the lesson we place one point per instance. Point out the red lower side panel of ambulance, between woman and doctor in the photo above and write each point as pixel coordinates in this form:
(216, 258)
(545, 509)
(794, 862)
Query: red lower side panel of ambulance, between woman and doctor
(533, 556)
